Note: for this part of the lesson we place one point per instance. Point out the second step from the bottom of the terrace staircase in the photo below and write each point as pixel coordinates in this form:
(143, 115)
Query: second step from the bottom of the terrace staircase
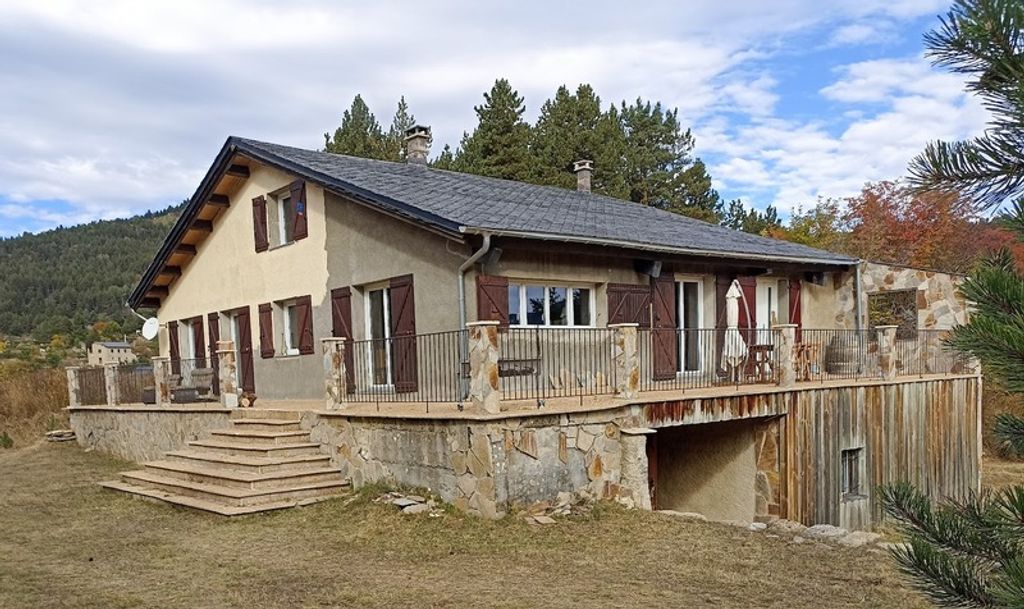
(233, 497)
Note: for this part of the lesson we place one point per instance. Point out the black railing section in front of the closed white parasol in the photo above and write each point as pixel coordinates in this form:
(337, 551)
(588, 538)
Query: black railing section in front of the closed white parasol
(695, 359)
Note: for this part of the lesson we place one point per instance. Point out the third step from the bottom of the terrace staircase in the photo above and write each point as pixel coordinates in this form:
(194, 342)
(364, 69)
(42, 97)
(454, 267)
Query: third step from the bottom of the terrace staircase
(199, 472)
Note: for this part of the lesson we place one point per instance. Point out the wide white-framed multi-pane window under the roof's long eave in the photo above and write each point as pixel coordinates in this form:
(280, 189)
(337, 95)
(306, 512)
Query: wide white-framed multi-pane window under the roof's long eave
(550, 306)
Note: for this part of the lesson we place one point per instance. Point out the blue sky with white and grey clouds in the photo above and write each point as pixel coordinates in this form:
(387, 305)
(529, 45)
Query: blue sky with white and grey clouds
(112, 108)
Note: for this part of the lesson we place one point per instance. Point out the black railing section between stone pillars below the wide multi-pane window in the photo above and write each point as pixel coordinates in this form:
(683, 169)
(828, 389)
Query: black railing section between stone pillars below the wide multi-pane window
(543, 363)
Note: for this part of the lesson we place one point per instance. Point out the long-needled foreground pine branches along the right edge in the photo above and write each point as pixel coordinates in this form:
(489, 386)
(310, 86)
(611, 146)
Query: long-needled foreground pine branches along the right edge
(971, 553)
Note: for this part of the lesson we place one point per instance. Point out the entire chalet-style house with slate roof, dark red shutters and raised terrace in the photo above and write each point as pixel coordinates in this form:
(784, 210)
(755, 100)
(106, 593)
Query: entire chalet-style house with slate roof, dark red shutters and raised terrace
(500, 342)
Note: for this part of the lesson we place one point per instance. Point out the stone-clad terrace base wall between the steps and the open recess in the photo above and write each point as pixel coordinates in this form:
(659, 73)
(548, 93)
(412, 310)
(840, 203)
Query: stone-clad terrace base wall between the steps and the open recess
(481, 467)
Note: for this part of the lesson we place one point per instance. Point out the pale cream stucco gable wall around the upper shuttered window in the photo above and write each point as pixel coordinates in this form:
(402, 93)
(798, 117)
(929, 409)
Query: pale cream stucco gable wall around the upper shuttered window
(228, 273)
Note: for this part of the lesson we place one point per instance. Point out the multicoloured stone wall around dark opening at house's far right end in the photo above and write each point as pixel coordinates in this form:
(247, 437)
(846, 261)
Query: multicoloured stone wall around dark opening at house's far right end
(941, 306)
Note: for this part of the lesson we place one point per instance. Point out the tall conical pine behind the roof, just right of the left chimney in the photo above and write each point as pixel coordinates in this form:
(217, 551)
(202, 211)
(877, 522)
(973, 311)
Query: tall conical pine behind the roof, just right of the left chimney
(500, 145)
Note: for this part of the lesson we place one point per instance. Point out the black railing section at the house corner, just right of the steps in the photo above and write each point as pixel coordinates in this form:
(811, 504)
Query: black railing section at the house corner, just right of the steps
(424, 368)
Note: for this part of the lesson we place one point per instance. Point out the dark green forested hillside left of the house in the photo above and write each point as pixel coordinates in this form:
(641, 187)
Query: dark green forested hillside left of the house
(63, 281)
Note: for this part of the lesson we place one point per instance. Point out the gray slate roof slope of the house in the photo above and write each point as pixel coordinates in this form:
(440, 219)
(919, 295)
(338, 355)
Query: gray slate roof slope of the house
(468, 203)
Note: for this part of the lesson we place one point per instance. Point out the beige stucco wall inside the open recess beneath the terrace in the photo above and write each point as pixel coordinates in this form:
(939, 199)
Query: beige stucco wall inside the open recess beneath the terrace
(709, 469)
